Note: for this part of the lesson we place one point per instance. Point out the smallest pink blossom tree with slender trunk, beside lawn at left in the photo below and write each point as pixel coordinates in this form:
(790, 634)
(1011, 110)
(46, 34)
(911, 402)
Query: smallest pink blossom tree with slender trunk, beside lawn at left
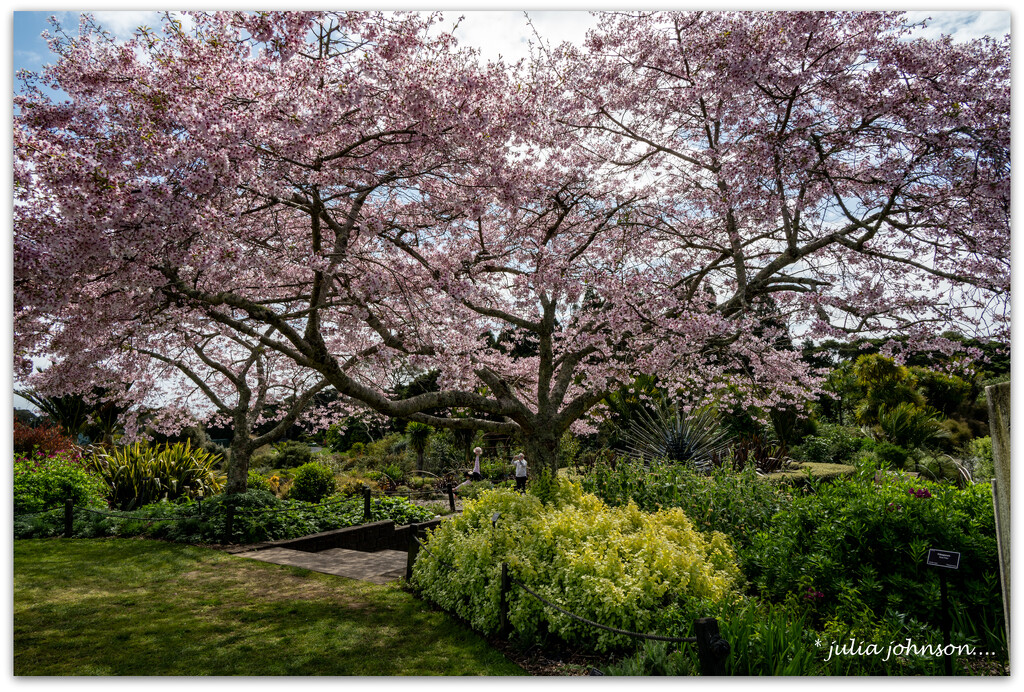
(188, 372)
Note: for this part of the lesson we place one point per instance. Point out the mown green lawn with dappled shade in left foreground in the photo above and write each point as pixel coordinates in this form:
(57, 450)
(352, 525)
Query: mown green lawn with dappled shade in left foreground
(122, 608)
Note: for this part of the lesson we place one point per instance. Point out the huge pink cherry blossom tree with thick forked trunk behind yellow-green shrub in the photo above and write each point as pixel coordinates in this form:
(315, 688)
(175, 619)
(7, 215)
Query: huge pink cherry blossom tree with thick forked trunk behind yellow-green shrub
(354, 194)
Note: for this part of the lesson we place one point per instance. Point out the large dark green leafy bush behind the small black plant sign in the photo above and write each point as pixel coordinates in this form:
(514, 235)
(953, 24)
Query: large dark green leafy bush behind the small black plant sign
(864, 545)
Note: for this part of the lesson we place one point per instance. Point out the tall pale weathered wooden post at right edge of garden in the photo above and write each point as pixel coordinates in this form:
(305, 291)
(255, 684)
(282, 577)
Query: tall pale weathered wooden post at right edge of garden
(999, 424)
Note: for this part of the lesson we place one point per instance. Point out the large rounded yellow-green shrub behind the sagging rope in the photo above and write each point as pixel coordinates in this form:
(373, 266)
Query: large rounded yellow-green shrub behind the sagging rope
(618, 567)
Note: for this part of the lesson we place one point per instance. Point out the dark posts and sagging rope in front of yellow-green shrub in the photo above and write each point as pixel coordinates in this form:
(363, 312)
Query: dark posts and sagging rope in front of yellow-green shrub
(712, 648)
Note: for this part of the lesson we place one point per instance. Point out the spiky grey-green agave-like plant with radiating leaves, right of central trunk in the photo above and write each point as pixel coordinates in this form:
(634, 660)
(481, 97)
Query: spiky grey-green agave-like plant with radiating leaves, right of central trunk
(695, 439)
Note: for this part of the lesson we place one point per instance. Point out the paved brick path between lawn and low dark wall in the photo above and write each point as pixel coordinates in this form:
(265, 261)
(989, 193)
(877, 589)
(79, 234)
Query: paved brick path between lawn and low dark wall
(379, 568)
